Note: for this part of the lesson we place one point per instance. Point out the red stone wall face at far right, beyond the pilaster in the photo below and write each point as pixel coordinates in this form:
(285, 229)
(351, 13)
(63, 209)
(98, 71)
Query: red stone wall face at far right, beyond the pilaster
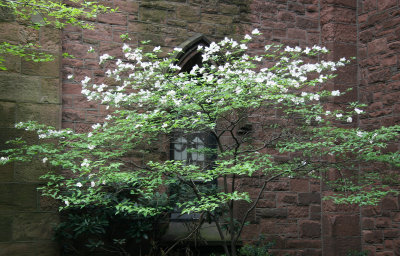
(379, 50)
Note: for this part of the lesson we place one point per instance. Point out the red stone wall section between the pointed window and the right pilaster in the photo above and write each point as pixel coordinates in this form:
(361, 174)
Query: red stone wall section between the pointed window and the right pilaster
(289, 212)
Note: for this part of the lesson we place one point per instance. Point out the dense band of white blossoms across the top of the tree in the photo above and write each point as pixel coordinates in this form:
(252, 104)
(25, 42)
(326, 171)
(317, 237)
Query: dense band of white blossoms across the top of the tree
(142, 81)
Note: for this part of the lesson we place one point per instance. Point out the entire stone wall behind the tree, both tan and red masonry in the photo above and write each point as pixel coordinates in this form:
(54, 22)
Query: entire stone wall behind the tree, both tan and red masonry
(291, 211)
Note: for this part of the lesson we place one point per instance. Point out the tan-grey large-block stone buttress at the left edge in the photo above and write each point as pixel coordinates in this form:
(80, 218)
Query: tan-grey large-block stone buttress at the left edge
(28, 91)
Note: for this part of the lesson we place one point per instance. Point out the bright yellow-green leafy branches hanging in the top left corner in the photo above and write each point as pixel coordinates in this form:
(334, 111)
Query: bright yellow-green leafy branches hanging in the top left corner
(39, 13)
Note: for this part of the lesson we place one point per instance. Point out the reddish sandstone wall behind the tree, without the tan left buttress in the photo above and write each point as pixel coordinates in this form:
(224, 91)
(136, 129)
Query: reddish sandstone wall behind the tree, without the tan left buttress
(290, 212)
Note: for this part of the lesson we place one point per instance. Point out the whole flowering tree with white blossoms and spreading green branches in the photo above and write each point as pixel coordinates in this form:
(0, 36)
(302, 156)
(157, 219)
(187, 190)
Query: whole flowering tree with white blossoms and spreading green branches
(228, 97)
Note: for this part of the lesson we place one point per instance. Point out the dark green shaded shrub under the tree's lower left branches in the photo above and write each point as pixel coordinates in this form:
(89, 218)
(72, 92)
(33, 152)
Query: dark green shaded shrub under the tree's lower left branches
(87, 229)
